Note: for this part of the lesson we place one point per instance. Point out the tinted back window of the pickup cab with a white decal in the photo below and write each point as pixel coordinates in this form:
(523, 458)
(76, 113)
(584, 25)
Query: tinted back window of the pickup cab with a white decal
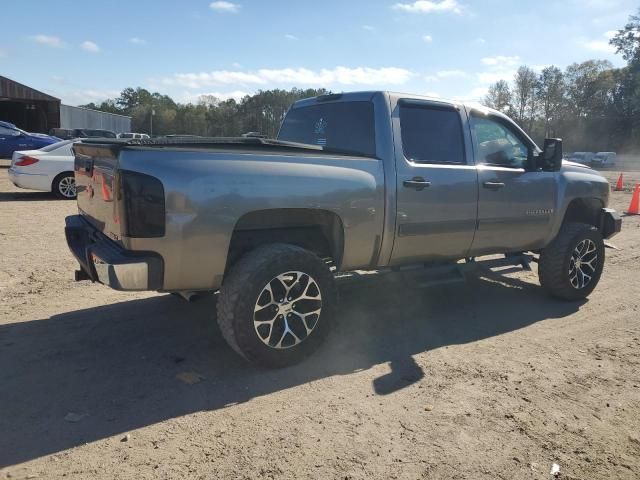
(340, 126)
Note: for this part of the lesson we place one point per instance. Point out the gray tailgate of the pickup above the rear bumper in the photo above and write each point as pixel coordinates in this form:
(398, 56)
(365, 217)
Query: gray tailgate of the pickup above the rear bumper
(96, 183)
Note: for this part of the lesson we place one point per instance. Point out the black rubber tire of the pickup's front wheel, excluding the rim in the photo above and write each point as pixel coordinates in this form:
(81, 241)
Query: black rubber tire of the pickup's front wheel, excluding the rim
(555, 259)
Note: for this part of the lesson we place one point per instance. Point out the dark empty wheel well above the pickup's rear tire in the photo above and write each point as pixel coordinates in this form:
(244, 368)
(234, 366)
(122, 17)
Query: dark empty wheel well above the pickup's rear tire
(319, 231)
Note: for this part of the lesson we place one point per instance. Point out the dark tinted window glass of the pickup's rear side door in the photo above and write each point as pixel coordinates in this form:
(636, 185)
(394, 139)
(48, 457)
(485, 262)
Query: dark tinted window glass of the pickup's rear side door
(431, 134)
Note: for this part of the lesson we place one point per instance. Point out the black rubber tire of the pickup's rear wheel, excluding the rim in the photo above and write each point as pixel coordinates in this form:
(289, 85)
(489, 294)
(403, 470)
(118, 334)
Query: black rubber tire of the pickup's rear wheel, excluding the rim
(244, 283)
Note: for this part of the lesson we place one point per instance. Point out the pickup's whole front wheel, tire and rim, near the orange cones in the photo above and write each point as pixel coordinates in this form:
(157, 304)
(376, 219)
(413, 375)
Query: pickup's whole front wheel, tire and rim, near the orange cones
(571, 265)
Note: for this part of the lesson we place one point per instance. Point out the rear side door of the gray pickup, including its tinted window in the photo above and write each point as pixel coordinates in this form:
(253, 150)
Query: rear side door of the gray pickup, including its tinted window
(437, 185)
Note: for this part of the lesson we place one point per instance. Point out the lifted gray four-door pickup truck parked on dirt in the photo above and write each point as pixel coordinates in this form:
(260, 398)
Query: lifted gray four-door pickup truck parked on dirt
(357, 181)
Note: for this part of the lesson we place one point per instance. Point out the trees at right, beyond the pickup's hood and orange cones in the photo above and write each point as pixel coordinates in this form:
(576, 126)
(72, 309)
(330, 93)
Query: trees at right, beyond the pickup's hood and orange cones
(591, 105)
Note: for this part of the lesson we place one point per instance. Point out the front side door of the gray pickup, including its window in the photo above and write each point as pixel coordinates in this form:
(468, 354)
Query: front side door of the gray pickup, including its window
(516, 203)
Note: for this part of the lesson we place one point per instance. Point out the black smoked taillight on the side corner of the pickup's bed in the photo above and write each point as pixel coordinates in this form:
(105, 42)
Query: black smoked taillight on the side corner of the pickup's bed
(143, 204)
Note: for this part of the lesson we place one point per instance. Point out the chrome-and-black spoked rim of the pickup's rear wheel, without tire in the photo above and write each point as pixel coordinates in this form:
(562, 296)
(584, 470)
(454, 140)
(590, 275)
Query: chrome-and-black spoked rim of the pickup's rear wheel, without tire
(287, 310)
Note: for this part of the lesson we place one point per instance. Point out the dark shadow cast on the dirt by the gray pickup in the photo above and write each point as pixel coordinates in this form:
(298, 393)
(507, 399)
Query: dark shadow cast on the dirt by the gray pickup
(116, 365)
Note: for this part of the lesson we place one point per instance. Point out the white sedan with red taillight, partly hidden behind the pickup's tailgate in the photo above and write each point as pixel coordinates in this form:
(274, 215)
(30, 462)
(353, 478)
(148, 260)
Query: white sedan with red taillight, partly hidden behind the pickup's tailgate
(49, 169)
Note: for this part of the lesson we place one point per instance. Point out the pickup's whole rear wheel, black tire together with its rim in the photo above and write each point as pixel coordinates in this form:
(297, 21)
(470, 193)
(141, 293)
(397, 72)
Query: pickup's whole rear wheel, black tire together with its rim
(276, 305)
